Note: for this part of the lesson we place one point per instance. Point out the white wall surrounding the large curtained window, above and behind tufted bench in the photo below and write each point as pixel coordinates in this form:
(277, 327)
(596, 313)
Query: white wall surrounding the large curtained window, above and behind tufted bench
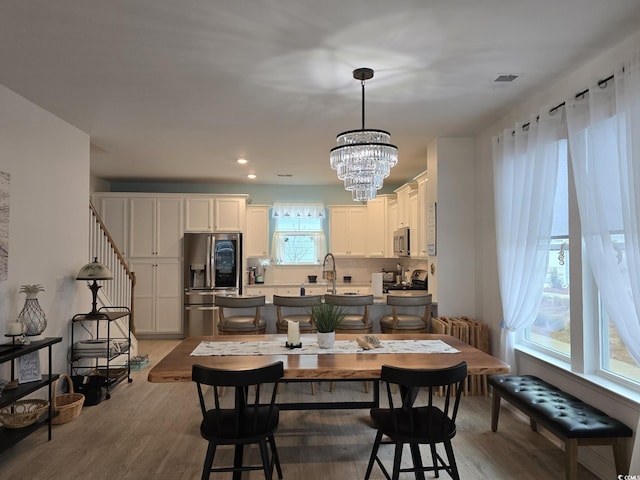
(488, 296)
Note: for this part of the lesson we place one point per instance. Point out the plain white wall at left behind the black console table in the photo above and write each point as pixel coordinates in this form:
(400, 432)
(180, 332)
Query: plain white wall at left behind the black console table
(48, 161)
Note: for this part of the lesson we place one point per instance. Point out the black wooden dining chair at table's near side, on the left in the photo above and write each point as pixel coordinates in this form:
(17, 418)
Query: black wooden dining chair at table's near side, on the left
(253, 419)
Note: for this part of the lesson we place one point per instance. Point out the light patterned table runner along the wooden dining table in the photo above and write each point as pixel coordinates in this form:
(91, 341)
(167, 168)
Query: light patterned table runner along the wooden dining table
(310, 347)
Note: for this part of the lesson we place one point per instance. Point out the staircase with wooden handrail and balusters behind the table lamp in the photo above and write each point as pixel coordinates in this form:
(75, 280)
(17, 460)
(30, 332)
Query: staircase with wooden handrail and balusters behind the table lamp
(119, 291)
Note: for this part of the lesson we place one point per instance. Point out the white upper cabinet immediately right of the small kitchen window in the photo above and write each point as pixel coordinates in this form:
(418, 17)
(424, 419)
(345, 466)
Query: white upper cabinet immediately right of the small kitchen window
(348, 231)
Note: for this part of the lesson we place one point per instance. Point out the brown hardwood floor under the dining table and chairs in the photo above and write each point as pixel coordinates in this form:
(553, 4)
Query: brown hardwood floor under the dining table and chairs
(151, 431)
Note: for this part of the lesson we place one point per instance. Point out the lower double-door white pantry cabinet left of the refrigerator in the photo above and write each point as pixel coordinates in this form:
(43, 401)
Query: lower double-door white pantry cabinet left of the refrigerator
(157, 297)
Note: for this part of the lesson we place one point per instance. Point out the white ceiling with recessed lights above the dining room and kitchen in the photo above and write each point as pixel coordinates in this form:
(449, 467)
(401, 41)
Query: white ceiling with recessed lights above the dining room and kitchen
(179, 89)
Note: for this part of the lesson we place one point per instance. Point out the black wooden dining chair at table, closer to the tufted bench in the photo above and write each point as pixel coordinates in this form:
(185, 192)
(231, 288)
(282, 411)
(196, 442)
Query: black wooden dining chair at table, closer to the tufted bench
(418, 418)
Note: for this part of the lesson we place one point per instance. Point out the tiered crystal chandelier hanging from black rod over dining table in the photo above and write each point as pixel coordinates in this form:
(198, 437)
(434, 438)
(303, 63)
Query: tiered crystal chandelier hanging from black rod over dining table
(363, 158)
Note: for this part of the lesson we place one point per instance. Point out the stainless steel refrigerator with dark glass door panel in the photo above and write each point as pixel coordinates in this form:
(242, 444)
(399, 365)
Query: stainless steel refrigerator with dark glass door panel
(212, 266)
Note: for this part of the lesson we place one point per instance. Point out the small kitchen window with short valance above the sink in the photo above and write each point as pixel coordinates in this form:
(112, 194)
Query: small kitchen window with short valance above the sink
(299, 237)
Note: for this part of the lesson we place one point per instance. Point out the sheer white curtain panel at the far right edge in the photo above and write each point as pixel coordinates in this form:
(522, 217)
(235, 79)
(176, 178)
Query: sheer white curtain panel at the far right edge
(604, 140)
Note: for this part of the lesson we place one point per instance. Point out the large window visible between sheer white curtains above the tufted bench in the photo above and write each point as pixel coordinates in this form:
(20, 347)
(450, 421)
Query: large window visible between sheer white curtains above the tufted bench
(551, 332)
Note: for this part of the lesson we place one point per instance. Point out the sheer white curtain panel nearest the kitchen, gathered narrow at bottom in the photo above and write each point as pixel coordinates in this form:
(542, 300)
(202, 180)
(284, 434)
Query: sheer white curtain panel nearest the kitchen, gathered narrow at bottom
(525, 166)
